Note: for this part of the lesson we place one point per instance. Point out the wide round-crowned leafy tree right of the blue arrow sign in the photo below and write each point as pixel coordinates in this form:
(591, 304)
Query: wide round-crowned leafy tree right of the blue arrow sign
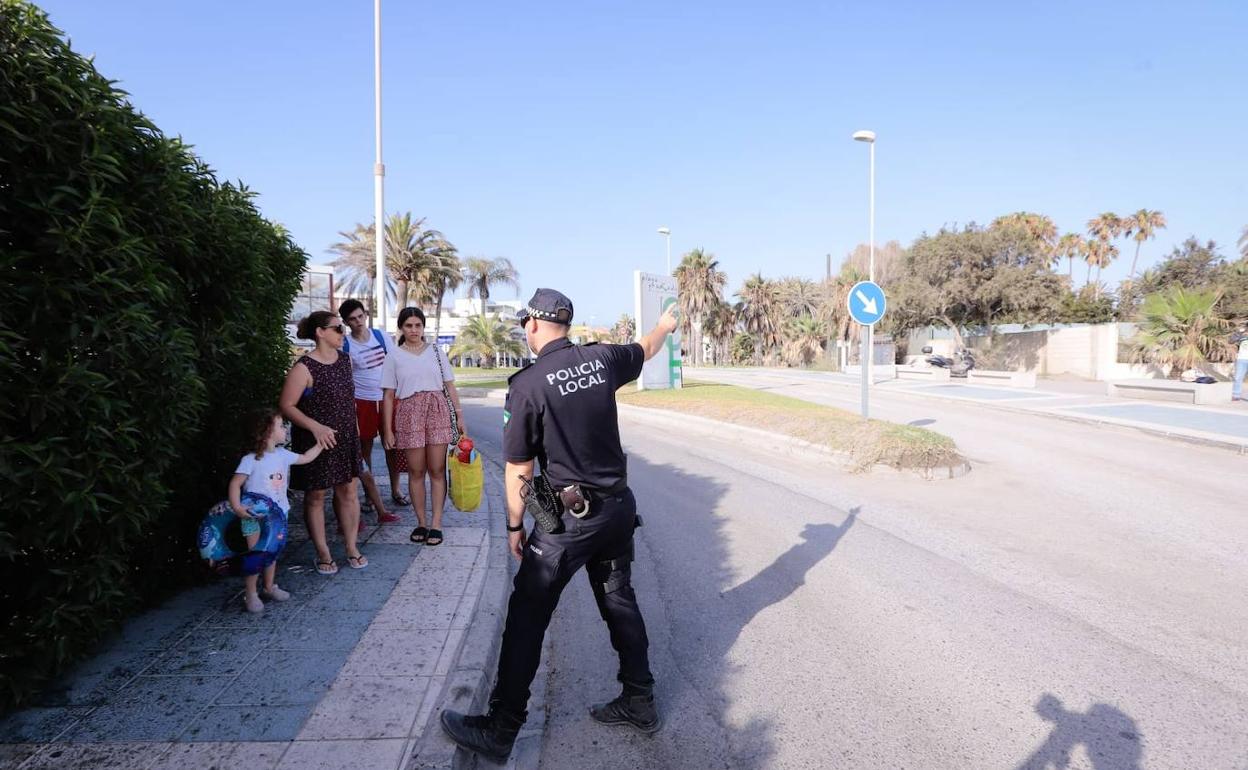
(975, 278)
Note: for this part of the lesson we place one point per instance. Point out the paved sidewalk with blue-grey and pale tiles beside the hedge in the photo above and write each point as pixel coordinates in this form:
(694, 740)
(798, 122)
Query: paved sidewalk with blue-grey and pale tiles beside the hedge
(350, 673)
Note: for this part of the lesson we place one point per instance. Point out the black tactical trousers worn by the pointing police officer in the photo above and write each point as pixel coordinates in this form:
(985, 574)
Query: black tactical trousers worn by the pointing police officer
(603, 543)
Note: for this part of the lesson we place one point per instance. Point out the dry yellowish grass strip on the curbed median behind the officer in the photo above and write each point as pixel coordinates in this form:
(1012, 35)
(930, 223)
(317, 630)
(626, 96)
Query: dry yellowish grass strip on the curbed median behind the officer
(868, 444)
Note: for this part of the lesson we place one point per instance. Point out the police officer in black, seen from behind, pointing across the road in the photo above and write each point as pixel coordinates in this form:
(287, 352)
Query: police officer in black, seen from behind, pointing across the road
(561, 412)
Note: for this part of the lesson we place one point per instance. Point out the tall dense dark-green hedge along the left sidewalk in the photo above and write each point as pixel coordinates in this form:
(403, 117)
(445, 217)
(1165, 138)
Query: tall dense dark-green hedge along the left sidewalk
(144, 311)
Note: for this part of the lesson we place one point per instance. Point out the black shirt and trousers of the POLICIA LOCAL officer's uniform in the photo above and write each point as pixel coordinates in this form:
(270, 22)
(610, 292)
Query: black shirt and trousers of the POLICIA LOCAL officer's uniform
(561, 411)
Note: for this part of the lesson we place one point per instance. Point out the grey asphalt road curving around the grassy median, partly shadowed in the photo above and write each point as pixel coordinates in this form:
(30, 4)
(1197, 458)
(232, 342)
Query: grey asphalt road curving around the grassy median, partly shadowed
(1076, 602)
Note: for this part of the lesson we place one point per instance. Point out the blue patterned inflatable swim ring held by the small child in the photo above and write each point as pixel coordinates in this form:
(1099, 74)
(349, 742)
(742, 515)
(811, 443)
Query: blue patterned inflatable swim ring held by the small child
(225, 551)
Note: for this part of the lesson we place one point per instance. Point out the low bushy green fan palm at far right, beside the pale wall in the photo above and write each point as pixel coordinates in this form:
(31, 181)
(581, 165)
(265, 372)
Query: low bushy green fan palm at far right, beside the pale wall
(1182, 329)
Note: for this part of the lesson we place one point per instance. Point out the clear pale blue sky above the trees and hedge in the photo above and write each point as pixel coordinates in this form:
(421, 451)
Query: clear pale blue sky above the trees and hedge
(563, 134)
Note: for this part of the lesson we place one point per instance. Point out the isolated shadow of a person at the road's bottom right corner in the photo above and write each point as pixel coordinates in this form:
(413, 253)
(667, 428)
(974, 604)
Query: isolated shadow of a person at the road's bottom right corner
(1110, 738)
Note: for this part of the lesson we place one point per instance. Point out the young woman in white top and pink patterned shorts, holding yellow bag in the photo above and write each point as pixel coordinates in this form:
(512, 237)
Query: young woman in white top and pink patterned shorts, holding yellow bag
(420, 425)
